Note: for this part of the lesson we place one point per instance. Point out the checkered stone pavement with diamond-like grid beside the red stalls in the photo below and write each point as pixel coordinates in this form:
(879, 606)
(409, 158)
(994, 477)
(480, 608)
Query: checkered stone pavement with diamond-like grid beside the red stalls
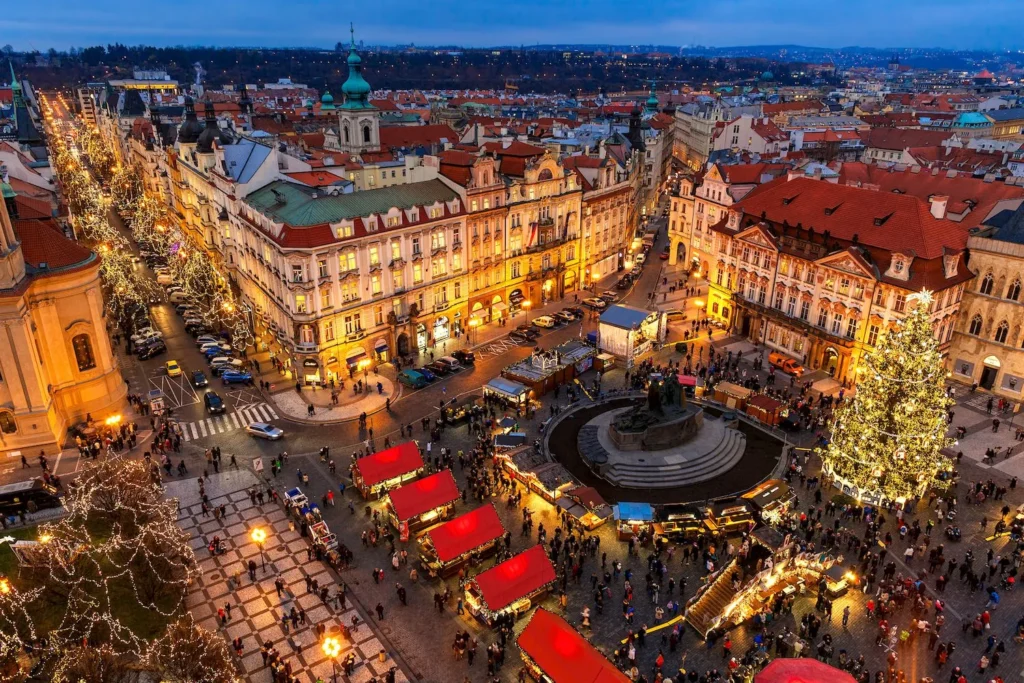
(257, 607)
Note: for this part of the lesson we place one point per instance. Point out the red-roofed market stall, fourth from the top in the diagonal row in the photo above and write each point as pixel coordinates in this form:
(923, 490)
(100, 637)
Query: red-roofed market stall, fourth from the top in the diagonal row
(509, 589)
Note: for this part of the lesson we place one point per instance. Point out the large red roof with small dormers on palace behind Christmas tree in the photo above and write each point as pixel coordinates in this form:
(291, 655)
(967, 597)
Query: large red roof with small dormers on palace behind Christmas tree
(907, 223)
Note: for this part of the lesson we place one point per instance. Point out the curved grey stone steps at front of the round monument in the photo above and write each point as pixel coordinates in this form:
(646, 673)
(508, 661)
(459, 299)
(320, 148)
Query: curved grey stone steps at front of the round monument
(720, 460)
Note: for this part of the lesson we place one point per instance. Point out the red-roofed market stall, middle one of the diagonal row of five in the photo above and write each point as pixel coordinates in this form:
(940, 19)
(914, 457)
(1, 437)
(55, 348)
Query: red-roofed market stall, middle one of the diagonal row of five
(465, 540)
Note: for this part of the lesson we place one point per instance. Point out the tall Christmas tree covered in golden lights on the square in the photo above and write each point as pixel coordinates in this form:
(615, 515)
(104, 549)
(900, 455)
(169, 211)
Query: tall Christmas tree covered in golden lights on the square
(886, 442)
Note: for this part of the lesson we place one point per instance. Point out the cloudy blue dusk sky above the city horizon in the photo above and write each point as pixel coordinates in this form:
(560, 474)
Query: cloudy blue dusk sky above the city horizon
(954, 24)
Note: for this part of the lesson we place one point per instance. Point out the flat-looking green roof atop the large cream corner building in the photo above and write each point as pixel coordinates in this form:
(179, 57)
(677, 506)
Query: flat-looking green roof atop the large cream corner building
(307, 206)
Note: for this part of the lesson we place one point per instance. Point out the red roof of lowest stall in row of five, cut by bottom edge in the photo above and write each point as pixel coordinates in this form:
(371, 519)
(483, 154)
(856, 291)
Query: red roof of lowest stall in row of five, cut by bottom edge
(564, 655)
